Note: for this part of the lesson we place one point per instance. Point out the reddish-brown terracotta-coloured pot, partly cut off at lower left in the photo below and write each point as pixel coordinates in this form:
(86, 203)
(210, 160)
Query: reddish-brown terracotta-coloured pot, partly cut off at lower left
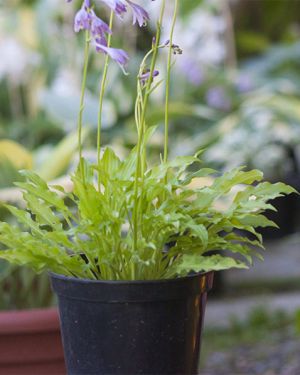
(30, 343)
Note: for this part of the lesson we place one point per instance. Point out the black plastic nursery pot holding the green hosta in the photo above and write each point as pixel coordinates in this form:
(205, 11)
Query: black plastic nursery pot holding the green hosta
(137, 327)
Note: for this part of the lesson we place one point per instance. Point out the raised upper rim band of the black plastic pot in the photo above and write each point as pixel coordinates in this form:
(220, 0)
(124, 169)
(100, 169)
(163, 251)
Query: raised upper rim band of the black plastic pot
(122, 291)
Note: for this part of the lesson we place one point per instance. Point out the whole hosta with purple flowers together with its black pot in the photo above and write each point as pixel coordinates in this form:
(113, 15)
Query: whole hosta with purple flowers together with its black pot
(131, 259)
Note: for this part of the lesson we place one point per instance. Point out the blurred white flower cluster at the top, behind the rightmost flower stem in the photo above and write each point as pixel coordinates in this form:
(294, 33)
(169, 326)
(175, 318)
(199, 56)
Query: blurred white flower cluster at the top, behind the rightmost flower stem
(200, 35)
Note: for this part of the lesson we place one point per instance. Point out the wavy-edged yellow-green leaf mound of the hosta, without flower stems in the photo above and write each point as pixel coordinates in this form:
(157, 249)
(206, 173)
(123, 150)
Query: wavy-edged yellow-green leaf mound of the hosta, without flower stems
(181, 225)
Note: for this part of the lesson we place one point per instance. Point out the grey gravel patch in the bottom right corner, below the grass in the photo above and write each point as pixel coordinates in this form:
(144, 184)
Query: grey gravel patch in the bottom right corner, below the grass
(281, 357)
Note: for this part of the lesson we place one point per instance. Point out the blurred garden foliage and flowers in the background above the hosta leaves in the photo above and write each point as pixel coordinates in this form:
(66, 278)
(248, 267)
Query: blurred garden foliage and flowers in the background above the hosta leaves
(235, 89)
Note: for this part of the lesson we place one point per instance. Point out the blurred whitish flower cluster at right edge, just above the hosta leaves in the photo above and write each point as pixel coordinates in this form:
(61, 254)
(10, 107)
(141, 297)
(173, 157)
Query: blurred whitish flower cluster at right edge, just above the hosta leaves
(260, 139)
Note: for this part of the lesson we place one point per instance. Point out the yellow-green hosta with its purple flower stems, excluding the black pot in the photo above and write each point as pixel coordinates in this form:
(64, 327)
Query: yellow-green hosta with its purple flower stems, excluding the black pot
(126, 219)
